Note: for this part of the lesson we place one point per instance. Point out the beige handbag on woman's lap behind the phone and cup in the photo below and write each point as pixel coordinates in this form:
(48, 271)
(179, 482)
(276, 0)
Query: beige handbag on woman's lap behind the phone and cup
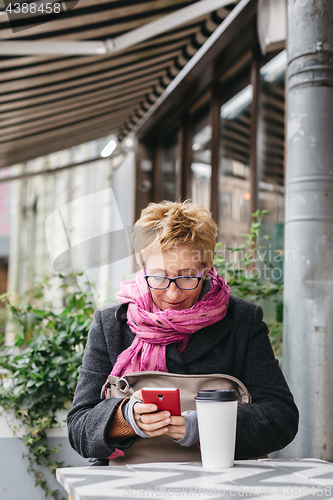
(164, 448)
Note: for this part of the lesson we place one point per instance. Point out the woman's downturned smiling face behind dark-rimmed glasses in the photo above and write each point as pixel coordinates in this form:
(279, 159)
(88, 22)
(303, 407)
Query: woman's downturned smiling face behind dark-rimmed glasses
(177, 261)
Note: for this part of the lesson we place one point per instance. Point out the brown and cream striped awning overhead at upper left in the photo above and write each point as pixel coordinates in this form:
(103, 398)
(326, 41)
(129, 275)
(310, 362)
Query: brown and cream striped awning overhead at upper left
(51, 101)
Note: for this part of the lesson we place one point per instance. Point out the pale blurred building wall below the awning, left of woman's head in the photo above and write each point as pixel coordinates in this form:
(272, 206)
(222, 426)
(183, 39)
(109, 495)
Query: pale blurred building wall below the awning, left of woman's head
(62, 221)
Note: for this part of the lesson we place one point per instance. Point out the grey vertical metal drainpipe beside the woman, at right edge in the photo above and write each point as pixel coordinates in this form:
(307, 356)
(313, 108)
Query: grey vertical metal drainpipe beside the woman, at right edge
(308, 298)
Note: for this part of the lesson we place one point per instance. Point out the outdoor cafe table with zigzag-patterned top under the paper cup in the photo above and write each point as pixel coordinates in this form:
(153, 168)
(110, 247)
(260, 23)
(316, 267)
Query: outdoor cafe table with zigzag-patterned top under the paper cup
(308, 478)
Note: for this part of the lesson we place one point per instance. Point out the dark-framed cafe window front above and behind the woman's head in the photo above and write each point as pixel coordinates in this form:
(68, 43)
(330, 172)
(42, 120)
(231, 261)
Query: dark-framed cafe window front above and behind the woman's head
(218, 138)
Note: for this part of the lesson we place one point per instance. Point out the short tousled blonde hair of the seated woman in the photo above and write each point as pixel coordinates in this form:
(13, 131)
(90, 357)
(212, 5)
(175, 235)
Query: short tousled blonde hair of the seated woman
(169, 224)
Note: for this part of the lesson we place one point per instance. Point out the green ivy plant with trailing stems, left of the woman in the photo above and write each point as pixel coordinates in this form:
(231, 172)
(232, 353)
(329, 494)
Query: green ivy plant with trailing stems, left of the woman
(42, 369)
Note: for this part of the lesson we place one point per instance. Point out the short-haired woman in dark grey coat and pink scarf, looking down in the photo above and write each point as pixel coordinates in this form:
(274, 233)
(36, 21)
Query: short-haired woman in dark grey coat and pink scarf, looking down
(177, 316)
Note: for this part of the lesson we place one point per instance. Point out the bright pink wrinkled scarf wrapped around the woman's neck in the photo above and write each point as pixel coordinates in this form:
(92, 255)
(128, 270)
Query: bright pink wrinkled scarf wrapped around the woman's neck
(155, 329)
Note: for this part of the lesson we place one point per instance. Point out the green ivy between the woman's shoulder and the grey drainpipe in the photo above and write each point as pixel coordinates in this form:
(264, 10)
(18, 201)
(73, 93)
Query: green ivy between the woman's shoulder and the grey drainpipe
(243, 274)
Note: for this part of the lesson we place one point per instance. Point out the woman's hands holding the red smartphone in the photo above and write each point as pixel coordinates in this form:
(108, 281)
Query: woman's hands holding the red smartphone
(175, 429)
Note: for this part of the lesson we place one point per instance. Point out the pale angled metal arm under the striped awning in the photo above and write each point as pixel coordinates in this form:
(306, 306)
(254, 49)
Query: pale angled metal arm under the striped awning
(119, 43)
